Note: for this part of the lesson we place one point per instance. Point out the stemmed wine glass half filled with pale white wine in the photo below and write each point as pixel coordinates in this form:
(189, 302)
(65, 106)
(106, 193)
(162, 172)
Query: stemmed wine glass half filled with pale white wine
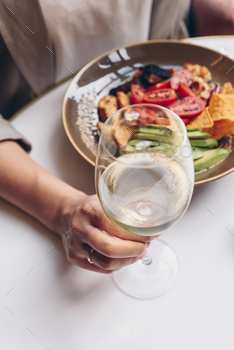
(144, 178)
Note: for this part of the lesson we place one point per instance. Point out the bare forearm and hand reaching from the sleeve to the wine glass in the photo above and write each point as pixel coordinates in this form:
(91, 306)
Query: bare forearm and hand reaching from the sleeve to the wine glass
(61, 207)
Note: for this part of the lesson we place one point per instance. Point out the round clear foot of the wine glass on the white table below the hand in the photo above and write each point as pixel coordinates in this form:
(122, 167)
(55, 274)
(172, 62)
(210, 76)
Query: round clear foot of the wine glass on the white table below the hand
(152, 276)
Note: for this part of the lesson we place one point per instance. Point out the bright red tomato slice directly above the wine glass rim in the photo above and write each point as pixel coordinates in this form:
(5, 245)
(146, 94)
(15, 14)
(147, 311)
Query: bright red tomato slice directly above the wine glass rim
(162, 97)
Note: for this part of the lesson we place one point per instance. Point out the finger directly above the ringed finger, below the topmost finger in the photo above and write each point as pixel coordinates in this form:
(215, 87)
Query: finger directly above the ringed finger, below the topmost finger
(113, 247)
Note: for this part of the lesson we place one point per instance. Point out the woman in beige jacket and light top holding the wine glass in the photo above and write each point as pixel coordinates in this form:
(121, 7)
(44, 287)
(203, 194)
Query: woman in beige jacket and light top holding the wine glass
(43, 42)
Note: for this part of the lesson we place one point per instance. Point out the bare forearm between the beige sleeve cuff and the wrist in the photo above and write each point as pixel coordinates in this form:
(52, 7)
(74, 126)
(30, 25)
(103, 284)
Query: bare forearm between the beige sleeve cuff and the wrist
(30, 187)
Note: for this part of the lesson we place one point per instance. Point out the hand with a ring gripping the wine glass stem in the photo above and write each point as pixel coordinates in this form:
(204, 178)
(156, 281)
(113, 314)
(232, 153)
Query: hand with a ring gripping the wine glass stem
(81, 225)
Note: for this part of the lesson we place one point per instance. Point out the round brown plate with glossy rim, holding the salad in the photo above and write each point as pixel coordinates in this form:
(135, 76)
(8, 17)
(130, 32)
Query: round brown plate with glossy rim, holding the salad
(97, 78)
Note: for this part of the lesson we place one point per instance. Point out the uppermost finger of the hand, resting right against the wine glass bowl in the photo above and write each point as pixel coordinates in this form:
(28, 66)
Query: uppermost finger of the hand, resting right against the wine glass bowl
(101, 220)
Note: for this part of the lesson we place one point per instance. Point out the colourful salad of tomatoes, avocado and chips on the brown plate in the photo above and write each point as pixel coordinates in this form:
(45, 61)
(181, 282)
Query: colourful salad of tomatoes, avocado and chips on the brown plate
(207, 112)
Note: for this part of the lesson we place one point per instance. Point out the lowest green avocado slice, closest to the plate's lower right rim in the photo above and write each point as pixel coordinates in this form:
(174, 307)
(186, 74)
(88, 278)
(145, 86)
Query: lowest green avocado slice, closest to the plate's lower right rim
(210, 158)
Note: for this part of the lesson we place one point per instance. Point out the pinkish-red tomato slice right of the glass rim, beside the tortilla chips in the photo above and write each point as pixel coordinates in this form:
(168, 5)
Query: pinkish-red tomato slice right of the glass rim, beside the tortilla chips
(188, 106)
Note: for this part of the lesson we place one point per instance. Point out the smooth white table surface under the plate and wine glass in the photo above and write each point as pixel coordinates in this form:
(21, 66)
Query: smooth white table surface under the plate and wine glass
(46, 303)
